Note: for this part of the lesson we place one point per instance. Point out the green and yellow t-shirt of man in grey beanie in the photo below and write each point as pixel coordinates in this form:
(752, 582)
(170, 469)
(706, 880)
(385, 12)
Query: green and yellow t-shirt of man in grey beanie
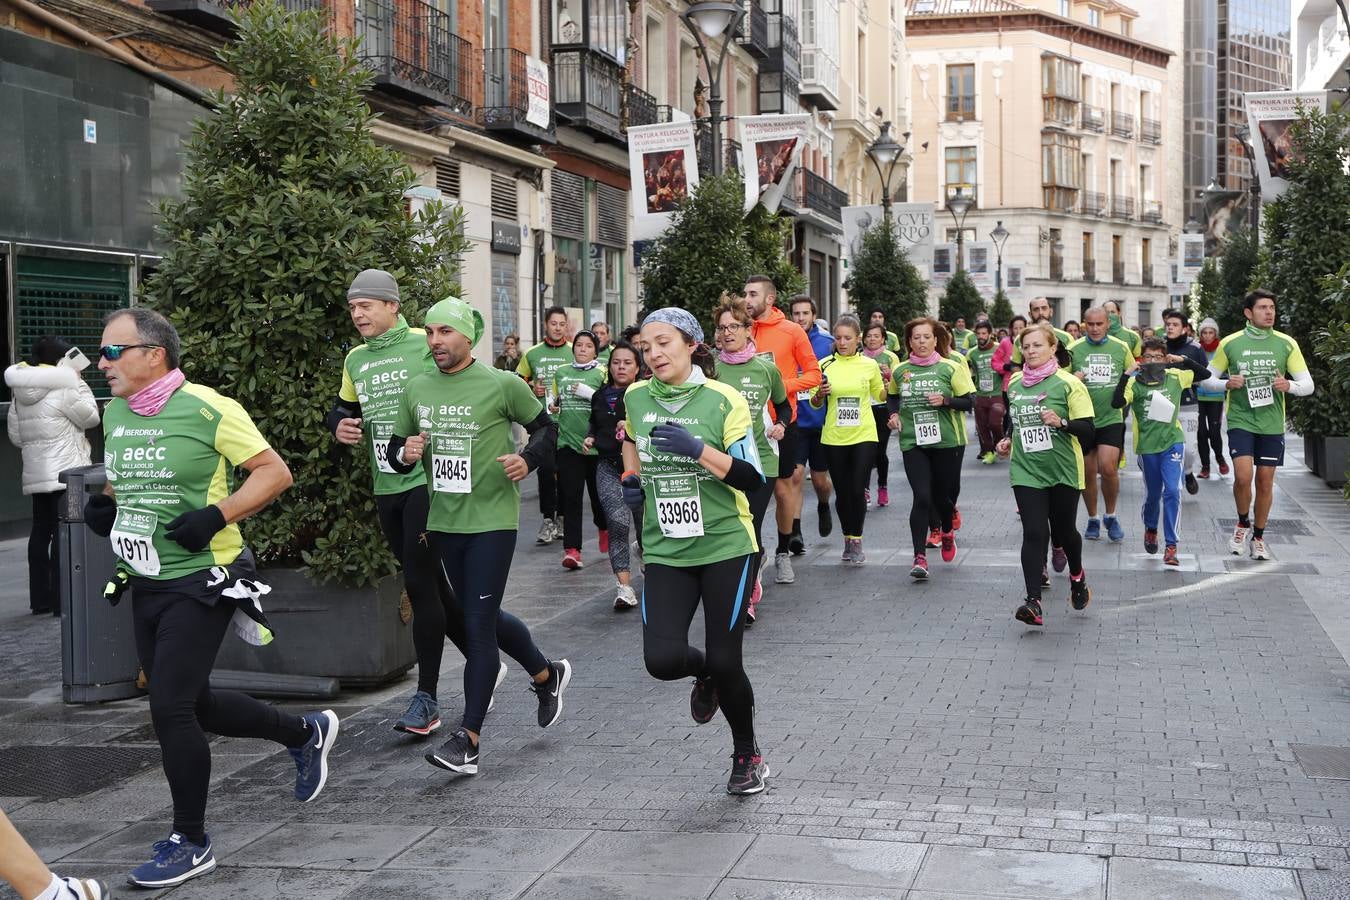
(376, 380)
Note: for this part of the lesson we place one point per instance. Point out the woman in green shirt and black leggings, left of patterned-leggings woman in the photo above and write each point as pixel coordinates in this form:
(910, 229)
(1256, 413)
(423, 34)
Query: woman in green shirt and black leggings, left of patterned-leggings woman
(572, 391)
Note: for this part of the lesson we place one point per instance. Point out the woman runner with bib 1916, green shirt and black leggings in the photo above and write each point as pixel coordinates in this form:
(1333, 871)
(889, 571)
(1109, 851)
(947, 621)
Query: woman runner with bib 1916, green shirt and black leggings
(929, 397)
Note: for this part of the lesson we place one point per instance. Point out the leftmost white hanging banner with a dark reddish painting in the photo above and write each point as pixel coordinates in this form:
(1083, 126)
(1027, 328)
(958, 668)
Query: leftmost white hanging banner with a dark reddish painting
(661, 159)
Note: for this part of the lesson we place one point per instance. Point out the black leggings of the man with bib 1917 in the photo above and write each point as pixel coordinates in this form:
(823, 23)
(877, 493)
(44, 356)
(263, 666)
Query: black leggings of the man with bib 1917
(178, 640)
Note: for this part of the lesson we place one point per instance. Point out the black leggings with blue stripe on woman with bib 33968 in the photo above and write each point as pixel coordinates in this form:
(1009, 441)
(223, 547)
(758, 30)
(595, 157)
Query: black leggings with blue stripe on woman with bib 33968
(670, 597)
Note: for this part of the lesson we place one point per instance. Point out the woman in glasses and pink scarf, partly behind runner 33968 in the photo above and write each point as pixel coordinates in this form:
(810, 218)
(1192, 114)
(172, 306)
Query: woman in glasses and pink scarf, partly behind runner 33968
(761, 384)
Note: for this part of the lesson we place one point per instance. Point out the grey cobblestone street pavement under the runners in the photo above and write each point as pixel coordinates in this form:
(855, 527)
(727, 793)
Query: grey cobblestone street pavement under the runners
(924, 744)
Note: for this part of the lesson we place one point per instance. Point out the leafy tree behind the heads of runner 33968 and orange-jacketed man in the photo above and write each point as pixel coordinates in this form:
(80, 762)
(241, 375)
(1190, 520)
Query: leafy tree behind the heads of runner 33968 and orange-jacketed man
(713, 246)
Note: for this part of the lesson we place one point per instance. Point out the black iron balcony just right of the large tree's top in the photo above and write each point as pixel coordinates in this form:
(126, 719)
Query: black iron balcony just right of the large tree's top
(414, 55)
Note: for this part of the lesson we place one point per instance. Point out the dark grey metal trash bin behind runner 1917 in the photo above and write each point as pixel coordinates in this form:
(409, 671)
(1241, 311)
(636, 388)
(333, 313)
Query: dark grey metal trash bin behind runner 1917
(98, 640)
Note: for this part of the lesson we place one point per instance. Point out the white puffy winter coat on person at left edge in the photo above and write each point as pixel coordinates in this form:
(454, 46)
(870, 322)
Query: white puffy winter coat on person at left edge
(48, 419)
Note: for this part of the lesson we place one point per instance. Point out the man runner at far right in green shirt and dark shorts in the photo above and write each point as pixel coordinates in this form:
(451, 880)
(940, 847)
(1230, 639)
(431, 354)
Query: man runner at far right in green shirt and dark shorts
(1262, 366)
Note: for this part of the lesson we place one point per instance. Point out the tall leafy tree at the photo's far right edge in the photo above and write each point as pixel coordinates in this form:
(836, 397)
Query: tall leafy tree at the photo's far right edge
(1307, 237)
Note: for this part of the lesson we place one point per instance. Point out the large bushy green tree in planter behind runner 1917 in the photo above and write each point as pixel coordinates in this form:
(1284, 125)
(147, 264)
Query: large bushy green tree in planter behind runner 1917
(286, 198)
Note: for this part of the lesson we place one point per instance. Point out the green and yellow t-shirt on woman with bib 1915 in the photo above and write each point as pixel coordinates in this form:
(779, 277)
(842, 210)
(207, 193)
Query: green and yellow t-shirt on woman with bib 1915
(1046, 457)
